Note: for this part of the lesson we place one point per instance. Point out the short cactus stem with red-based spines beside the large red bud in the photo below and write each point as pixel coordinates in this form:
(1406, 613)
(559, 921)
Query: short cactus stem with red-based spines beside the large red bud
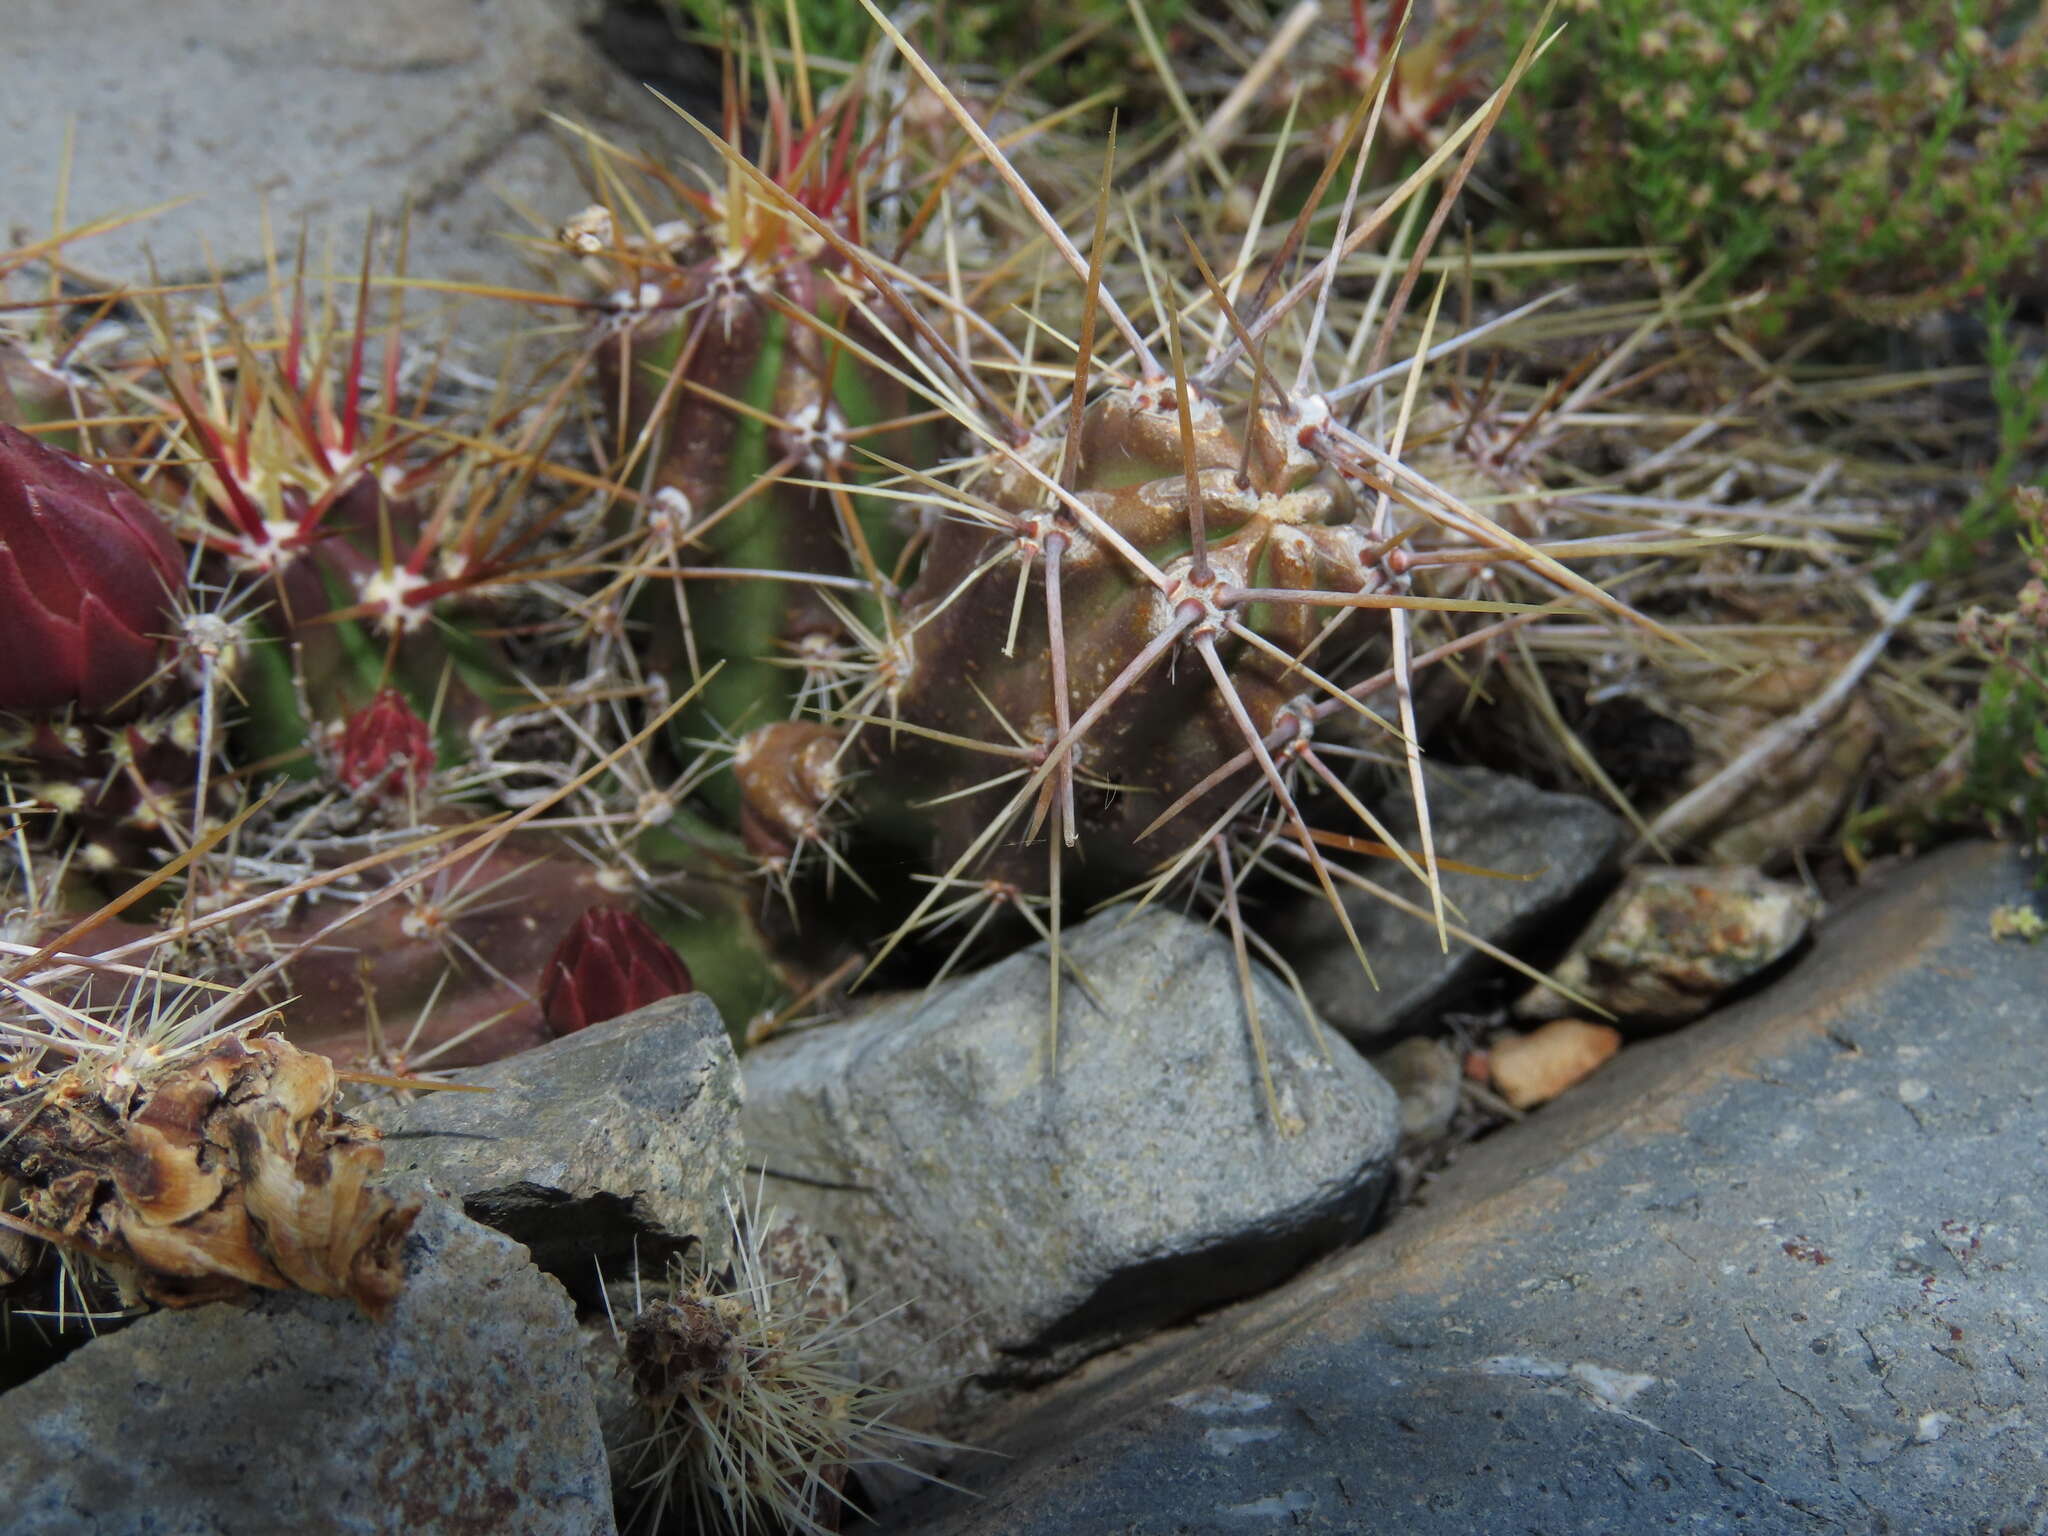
(347, 552)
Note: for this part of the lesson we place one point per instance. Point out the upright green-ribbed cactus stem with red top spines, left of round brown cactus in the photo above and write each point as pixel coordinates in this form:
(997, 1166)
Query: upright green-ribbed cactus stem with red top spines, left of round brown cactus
(738, 366)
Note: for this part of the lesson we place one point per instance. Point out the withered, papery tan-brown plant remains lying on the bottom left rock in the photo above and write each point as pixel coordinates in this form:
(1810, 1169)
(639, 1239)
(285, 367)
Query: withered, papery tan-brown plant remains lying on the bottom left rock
(214, 1175)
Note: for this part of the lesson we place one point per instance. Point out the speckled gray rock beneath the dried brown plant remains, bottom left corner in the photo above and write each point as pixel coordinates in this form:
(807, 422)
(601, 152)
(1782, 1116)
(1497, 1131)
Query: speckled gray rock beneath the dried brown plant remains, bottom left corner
(466, 1412)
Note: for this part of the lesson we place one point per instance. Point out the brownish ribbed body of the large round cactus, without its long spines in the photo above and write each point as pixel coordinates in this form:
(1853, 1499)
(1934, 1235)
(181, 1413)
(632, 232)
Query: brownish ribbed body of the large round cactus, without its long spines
(1287, 523)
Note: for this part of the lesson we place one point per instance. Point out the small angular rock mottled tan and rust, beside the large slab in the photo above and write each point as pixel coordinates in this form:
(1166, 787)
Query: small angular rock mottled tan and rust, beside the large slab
(1672, 941)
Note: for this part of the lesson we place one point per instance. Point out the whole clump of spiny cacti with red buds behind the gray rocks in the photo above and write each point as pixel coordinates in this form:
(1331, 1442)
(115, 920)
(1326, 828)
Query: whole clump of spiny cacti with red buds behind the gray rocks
(910, 558)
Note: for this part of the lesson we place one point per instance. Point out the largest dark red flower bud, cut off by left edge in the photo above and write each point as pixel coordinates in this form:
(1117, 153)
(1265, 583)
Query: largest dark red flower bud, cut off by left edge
(87, 577)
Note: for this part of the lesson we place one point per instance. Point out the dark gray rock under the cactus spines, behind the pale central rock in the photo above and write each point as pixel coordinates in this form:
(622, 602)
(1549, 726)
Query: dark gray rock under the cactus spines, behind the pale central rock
(1480, 818)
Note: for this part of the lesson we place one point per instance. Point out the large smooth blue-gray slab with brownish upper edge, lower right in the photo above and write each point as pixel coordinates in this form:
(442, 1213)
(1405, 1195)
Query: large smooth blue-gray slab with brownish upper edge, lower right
(1779, 1273)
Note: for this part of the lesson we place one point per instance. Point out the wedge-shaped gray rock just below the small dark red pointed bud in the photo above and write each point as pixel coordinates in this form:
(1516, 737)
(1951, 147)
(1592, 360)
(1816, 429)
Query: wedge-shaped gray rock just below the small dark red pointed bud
(615, 1134)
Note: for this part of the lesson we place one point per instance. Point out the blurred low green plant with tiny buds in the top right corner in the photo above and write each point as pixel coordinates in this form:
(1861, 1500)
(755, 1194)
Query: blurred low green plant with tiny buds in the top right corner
(1881, 159)
